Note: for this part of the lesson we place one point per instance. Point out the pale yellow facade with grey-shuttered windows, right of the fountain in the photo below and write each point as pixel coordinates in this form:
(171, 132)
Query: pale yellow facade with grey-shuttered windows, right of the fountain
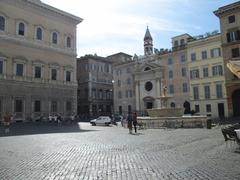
(207, 81)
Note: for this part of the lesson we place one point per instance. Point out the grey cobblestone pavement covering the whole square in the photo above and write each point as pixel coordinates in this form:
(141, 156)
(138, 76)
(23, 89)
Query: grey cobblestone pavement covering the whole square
(43, 151)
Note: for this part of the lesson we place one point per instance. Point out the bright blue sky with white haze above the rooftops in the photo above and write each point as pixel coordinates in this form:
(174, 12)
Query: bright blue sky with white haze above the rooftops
(112, 26)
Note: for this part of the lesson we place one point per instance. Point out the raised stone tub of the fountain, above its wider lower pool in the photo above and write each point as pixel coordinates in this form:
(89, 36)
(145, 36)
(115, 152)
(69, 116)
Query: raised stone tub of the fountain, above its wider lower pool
(165, 112)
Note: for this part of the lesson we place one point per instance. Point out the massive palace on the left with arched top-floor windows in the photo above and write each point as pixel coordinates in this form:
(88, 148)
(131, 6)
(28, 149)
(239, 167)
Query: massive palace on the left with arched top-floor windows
(37, 59)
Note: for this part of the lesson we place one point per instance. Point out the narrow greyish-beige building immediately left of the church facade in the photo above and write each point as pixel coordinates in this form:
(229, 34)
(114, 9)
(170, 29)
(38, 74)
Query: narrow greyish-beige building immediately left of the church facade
(123, 83)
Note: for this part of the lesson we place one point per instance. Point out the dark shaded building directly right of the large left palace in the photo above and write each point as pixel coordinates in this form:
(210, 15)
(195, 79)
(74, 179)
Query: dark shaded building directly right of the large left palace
(95, 86)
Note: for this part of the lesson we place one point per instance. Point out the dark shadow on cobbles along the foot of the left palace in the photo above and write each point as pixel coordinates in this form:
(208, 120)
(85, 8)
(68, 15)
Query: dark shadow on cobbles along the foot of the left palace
(31, 128)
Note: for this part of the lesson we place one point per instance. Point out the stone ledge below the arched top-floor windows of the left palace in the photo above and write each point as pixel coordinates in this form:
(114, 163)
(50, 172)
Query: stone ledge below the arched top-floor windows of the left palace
(36, 45)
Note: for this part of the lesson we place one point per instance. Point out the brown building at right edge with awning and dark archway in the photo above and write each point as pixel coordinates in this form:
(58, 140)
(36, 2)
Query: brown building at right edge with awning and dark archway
(229, 16)
